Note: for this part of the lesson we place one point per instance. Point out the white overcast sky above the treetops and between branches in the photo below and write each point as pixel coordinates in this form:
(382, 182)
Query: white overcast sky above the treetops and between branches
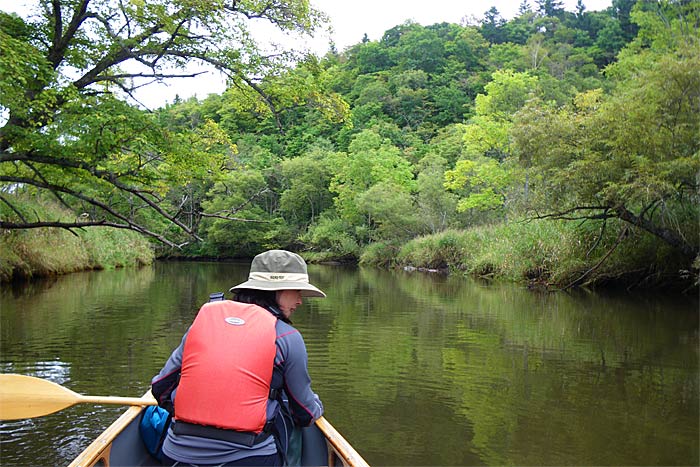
(350, 21)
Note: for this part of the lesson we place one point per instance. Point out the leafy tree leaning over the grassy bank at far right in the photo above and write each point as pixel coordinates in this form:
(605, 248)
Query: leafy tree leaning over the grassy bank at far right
(633, 155)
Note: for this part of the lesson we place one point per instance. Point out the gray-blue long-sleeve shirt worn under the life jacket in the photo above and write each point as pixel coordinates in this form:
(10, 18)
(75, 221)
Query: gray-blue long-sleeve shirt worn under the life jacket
(290, 372)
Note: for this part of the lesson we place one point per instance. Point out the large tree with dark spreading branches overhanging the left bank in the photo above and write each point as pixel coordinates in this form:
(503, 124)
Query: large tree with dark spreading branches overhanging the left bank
(67, 73)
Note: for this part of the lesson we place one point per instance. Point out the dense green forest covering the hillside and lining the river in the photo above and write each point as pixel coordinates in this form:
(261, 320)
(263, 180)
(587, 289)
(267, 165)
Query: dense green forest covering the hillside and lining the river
(556, 148)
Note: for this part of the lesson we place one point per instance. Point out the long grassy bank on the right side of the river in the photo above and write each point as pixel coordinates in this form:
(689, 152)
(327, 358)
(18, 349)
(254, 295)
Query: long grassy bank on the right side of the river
(552, 254)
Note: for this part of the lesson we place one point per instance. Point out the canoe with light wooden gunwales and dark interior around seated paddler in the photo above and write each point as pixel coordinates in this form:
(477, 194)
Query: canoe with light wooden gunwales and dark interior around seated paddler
(120, 445)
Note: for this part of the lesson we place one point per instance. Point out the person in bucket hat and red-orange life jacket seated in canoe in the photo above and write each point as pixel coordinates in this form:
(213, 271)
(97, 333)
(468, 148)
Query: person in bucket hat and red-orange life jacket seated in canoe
(238, 382)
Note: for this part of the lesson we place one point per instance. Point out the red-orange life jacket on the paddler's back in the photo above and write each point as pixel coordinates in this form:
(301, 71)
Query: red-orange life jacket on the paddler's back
(227, 367)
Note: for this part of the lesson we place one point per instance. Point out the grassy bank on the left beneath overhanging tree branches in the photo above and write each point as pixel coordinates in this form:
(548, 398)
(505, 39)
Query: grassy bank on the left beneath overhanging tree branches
(50, 251)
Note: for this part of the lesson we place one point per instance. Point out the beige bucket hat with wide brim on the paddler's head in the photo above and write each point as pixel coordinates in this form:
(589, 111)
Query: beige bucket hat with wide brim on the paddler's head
(279, 270)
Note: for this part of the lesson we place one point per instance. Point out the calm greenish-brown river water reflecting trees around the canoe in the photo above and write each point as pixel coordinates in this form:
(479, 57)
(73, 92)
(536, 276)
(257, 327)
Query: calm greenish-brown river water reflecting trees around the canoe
(413, 369)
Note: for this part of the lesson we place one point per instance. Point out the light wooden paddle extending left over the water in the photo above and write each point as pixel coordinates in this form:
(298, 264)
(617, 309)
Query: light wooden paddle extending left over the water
(27, 397)
